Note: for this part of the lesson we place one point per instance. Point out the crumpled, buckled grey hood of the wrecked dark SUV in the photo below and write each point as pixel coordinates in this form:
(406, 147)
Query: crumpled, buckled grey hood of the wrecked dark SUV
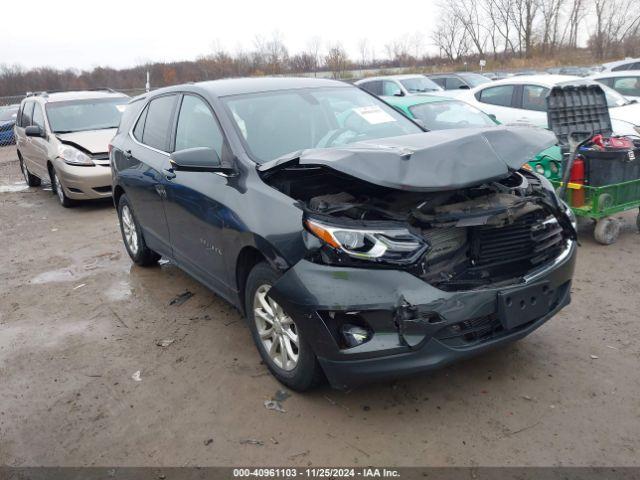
(432, 161)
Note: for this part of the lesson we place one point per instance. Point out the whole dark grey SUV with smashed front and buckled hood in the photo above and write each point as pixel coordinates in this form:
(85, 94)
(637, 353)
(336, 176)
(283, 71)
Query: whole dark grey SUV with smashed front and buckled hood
(358, 246)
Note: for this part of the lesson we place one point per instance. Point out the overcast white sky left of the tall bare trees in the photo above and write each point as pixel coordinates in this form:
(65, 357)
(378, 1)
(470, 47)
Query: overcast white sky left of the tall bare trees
(120, 33)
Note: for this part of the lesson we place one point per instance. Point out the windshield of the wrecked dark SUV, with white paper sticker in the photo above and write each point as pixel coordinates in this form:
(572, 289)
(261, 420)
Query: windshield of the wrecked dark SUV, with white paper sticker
(274, 124)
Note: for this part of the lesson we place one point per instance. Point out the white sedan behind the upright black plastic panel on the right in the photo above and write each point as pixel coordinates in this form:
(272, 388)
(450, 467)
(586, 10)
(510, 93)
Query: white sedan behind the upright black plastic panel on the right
(521, 101)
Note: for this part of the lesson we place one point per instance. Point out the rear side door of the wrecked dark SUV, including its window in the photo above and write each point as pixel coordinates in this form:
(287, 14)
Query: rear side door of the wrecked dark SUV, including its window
(145, 177)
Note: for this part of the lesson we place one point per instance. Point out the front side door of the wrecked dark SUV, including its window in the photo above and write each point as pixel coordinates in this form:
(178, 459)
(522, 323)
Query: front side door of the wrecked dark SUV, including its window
(195, 201)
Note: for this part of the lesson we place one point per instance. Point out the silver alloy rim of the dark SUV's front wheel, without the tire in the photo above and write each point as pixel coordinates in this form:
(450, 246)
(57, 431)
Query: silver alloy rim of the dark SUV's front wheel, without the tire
(277, 330)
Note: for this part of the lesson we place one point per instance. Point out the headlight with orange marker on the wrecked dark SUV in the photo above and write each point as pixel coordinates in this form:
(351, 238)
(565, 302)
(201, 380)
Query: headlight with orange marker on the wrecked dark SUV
(393, 245)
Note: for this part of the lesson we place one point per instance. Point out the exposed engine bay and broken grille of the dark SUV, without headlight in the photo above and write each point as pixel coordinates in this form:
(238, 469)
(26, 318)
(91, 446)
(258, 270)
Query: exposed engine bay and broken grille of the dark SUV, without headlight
(492, 233)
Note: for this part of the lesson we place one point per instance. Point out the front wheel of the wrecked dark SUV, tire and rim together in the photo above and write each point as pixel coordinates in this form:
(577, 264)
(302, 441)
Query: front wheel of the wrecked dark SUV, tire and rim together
(281, 345)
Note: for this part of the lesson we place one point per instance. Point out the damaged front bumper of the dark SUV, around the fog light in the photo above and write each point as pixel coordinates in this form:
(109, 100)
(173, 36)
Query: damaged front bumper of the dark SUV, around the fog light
(414, 326)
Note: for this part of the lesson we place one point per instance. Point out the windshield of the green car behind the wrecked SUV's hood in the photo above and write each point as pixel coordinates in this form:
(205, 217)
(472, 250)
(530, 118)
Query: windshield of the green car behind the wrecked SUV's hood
(450, 114)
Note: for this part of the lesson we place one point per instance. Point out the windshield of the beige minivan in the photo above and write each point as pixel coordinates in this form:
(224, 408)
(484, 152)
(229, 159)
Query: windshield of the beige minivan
(82, 115)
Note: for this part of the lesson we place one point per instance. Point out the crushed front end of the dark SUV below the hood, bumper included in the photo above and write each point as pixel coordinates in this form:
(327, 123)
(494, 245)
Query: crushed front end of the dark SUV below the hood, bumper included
(401, 281)
